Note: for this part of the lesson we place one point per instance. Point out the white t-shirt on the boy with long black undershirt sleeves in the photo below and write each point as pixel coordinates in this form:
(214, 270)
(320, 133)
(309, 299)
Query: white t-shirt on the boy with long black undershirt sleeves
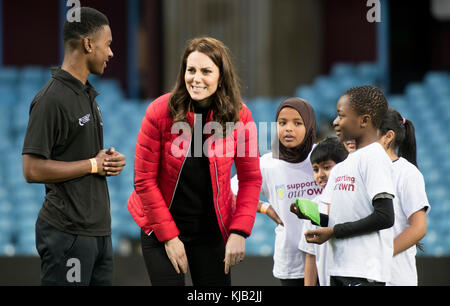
(351, 187)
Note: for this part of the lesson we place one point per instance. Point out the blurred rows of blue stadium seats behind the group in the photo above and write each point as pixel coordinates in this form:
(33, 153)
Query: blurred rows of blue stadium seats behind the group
(426, 104)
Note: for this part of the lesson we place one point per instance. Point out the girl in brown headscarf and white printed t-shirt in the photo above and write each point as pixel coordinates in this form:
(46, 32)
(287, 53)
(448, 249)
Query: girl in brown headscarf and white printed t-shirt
(287, 174)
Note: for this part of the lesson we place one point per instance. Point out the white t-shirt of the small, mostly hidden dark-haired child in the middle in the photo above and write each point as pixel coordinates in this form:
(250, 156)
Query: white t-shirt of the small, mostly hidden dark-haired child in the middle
(318, 250)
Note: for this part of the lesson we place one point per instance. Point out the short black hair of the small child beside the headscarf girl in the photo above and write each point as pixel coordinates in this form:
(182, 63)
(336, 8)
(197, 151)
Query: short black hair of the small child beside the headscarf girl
(328, 149)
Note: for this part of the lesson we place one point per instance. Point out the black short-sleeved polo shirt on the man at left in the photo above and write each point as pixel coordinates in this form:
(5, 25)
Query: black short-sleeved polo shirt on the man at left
(65, 125)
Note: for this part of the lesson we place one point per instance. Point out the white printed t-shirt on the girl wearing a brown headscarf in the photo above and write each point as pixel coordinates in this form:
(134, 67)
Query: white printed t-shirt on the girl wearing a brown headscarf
(283, 182)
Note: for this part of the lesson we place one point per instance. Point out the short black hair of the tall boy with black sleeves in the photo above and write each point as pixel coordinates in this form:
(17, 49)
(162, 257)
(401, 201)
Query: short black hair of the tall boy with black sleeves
(368, 100)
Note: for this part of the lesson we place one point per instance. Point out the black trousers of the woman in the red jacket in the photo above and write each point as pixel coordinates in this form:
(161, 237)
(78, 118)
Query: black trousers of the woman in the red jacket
(205, 259)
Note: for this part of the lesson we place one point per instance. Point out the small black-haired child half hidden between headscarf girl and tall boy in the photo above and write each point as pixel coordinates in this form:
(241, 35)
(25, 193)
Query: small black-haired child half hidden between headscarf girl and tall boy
(324, 157)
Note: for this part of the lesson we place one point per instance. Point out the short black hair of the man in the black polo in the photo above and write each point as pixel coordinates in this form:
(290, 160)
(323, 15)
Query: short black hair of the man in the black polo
(90, 22)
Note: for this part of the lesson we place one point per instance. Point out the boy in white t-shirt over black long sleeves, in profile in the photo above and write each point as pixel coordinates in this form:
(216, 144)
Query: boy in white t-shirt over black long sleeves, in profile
(360, 191)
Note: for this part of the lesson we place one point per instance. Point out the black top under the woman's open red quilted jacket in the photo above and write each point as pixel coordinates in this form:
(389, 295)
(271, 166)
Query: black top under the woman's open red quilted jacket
(193, 207)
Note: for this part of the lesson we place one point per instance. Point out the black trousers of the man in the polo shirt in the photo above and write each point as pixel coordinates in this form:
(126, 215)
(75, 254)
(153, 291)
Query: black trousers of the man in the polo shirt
(73, 260)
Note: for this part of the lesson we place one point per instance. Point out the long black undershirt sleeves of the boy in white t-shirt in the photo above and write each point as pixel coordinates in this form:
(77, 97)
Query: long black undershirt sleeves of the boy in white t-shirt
(382, 218)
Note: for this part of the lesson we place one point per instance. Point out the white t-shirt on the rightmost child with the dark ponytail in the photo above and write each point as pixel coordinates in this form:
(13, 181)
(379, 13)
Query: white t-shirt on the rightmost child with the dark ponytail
(410, 197)
